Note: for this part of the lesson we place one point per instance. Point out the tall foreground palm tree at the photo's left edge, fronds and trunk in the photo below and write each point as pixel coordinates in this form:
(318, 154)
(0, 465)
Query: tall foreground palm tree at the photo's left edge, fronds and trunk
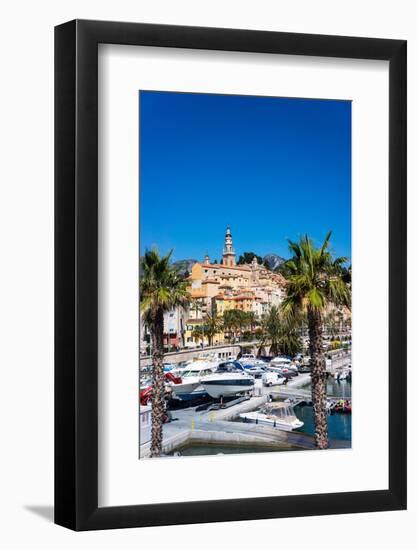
(161, 289)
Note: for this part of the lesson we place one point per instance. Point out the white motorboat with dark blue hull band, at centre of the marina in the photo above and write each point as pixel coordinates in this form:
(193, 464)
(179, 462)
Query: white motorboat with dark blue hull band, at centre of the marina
(228, 379)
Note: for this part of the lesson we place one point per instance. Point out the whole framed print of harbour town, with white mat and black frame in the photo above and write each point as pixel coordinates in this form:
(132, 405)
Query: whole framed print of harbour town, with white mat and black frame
(230, 275)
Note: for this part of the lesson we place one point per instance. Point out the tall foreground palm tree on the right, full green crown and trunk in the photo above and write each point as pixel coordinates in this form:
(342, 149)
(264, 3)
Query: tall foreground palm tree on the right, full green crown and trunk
(315, 279)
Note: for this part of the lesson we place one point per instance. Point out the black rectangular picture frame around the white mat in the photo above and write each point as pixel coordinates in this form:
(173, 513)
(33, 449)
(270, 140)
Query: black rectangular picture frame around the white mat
(76, 272)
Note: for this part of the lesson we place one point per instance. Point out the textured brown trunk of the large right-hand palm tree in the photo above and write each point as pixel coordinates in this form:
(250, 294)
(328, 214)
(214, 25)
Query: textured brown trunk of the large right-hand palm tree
(318, 379)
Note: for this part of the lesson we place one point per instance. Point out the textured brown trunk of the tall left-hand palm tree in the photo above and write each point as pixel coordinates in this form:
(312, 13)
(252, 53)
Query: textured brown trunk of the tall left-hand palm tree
(158, 383)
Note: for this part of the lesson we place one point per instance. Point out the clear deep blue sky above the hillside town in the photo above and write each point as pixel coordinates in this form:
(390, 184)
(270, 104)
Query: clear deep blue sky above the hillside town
(271, 168)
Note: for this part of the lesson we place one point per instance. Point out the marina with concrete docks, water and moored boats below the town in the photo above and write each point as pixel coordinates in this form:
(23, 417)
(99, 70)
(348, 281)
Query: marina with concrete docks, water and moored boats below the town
(239, 423)
